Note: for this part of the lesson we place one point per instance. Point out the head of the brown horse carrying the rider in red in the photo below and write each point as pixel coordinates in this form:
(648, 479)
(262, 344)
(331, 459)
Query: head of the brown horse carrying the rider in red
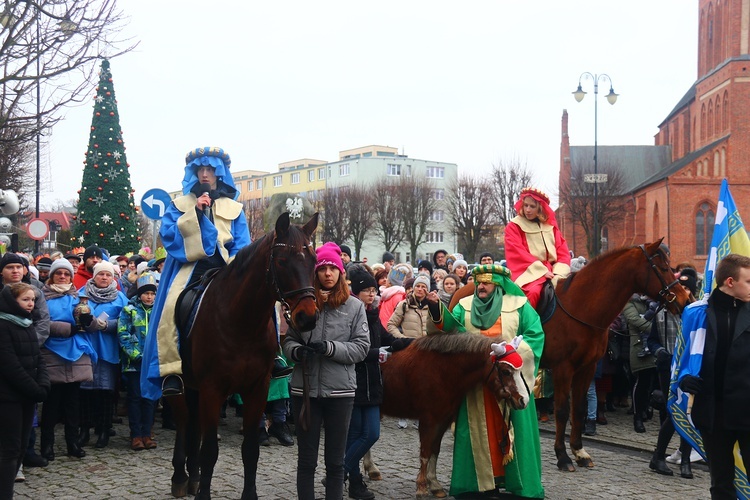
(660, 282)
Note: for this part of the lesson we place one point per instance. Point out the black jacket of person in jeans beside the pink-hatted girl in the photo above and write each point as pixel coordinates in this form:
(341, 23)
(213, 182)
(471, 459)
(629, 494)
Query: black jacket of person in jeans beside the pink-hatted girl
(369, 380)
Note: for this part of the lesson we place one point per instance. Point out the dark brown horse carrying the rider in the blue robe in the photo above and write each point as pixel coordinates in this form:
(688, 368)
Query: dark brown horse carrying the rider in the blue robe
(232, 346)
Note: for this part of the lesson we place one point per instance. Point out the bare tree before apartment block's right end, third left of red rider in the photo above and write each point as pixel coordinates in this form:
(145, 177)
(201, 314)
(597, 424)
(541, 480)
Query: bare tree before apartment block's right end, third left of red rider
(416, 203)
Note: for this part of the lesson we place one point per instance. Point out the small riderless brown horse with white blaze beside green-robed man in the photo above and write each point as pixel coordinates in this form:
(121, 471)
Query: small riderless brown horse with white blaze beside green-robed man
(428, 381)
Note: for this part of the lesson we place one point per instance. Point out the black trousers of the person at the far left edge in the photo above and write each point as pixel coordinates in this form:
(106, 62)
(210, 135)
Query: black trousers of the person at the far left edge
(15, 425)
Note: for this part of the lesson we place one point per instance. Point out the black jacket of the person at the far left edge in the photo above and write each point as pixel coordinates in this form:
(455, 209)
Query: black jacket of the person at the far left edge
(23, 374)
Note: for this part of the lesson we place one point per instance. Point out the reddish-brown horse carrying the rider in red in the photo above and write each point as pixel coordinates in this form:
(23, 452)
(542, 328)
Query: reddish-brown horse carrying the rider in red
(586, 303)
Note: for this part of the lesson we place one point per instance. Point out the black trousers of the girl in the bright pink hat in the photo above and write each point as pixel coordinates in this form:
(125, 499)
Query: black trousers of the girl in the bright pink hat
(335, 413)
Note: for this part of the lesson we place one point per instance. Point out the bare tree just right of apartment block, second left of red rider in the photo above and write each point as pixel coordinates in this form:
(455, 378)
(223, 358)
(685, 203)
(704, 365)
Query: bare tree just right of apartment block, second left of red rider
(471, 208)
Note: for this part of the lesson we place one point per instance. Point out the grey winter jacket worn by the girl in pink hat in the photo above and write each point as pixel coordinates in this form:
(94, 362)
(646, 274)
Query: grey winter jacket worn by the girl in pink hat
(346, 334)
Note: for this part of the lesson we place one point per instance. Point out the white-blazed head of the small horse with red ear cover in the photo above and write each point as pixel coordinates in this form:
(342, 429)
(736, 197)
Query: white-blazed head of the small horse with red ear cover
(505, 379)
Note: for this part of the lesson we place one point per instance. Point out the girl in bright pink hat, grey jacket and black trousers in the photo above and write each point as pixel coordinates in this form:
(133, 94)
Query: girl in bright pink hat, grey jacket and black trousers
(325, 359)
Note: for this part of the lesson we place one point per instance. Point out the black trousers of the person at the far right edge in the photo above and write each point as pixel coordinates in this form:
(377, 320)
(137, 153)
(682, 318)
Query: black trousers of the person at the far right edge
(719, 444)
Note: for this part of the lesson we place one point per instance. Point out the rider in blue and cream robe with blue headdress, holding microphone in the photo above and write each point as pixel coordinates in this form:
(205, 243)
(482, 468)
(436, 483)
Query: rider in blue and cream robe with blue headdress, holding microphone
(202, 229)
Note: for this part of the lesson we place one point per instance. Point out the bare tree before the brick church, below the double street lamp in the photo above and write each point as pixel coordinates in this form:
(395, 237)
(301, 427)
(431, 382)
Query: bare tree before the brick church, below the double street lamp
(577, 198)
